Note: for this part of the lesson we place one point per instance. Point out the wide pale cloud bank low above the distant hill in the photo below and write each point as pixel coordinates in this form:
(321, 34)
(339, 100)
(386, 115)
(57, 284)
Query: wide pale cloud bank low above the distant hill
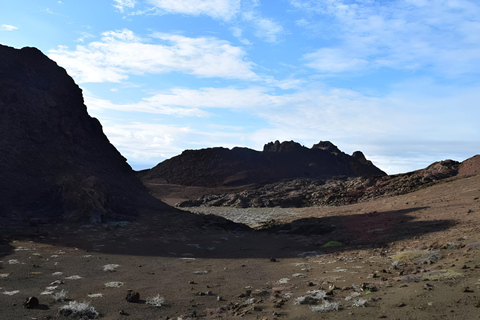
(405, 130)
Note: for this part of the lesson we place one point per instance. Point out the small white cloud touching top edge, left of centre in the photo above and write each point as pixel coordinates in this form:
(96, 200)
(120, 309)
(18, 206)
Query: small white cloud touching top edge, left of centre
(217, 9)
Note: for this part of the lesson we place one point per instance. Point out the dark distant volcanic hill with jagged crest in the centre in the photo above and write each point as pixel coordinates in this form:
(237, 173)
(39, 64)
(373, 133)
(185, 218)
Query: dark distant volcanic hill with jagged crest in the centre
(214, 167)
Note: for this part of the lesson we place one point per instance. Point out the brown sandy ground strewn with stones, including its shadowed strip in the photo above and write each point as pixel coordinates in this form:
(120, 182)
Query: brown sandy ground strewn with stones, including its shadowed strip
(415, 256)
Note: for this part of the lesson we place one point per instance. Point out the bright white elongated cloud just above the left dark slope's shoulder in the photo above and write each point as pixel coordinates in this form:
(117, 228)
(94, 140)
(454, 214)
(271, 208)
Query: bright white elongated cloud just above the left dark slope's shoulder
(120, 53)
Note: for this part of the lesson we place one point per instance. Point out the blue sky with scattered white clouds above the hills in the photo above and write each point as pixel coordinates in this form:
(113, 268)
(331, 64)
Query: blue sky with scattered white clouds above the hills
(397, 79)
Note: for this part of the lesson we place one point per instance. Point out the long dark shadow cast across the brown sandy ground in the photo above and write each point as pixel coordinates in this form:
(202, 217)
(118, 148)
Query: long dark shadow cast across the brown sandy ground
(174, 235)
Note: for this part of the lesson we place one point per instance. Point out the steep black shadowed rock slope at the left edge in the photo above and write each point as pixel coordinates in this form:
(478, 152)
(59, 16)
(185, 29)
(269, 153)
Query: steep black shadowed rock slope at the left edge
(55, 161)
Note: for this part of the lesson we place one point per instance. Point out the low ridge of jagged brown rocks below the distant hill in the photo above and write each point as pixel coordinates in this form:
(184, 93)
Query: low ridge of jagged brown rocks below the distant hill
(331, 192)
